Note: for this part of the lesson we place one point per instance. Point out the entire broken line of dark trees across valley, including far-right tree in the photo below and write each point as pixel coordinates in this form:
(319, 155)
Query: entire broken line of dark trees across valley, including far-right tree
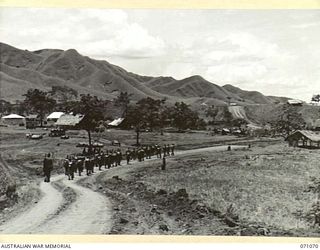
(145, 114)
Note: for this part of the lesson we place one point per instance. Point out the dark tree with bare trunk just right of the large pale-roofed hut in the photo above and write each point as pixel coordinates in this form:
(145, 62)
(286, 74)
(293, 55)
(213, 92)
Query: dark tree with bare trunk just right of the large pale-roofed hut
(92, 109)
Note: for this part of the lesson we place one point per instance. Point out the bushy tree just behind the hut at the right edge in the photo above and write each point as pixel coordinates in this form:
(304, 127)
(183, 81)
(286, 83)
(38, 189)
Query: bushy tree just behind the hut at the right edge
(288, 120)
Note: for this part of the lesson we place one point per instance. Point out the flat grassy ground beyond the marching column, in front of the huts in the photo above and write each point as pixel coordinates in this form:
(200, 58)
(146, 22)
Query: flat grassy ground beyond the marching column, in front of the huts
(16, 147)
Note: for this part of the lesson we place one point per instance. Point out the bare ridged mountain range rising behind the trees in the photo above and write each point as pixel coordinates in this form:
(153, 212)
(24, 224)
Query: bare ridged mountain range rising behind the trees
(21, 70)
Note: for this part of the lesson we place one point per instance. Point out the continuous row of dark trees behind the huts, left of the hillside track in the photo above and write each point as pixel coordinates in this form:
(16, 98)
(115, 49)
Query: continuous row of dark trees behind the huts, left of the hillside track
(145, 114)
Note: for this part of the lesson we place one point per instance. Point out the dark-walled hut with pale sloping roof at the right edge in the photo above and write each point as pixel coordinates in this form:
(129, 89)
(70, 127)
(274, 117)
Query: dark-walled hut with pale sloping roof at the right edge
(304, 138)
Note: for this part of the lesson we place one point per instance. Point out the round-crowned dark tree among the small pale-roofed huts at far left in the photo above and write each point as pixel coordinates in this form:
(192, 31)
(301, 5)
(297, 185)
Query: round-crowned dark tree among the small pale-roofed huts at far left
(39, 102)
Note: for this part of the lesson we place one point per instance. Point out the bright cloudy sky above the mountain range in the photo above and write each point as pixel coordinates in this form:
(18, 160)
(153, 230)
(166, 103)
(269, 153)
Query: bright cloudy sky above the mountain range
(276, 52)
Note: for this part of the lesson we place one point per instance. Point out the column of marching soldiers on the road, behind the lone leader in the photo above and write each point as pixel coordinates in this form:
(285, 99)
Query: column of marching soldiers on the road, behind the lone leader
(112, 158)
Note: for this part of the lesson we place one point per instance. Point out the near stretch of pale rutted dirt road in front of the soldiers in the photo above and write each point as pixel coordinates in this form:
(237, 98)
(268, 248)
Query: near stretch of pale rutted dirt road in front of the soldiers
(89, 213)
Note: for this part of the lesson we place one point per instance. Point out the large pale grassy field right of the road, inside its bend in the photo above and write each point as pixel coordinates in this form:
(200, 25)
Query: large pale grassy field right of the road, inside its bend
(265, 185)
